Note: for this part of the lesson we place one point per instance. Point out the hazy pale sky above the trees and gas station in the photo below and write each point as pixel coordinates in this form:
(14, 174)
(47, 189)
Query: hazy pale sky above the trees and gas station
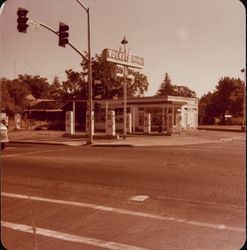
(195, 41)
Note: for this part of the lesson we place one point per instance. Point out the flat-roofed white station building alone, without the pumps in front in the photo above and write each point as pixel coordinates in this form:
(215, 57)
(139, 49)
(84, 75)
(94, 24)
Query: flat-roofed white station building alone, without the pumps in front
(165, 113)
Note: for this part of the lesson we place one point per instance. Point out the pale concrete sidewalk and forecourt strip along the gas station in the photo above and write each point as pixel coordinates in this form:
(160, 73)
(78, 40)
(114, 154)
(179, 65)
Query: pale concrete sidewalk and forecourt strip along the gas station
(79, 139)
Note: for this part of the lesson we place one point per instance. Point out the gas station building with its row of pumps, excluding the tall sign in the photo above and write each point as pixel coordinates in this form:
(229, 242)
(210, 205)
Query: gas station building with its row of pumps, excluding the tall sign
(154, 114)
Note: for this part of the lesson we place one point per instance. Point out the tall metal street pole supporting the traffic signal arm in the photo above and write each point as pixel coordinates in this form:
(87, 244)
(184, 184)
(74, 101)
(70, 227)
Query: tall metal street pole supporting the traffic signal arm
(90, 78)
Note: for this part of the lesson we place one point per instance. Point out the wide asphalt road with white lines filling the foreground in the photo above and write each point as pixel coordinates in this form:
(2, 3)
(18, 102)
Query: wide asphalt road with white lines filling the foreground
(183, 197)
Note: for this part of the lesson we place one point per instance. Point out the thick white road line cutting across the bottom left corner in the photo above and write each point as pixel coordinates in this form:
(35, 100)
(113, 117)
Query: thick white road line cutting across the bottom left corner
(70, 237)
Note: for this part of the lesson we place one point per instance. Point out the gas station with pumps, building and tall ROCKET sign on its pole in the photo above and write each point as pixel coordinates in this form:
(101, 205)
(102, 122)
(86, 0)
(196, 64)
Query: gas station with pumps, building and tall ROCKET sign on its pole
(127, 115)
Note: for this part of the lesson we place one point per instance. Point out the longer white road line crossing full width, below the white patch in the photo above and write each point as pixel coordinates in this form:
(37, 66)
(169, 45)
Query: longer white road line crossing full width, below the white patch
(126, 212)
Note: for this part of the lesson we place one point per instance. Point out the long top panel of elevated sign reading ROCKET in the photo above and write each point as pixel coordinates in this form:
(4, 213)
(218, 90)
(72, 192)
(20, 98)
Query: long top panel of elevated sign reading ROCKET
(122, 58)
